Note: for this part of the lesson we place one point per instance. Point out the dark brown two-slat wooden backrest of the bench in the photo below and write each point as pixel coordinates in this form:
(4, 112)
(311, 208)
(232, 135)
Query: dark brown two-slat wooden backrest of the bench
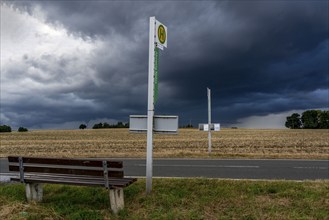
(84, 167)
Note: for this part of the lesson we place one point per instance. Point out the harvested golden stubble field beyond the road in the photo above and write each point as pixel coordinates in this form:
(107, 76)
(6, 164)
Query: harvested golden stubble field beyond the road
(228, 143)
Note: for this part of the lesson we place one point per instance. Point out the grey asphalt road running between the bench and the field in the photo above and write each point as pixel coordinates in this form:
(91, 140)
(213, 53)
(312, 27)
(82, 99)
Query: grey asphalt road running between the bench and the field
(224, 168)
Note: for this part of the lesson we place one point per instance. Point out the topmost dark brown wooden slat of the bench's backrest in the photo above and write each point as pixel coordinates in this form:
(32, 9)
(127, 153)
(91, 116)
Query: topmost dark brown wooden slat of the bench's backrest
(69, 162)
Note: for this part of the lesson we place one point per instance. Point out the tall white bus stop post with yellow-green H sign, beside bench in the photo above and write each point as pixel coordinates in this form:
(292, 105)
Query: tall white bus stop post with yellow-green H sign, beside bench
(157, 40)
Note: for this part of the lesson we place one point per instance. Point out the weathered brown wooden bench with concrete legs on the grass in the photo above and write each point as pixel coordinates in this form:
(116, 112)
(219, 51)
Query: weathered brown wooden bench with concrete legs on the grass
(86, 172)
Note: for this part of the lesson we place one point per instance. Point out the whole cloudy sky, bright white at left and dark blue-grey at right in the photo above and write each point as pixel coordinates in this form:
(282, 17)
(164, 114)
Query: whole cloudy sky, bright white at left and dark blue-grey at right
(64, 63)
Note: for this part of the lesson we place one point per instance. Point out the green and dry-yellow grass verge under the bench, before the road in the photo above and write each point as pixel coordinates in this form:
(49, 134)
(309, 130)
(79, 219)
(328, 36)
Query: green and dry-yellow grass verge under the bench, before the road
(175, 199)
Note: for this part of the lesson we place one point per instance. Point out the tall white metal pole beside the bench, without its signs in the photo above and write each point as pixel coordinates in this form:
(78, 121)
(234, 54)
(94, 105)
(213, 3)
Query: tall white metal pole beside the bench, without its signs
(150, 108)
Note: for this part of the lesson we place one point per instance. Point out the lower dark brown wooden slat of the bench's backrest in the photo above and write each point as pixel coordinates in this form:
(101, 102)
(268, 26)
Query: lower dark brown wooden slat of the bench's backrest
(111, 173)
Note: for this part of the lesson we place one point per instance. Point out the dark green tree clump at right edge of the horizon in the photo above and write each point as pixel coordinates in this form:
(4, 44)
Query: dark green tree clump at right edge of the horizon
(310, 119)
